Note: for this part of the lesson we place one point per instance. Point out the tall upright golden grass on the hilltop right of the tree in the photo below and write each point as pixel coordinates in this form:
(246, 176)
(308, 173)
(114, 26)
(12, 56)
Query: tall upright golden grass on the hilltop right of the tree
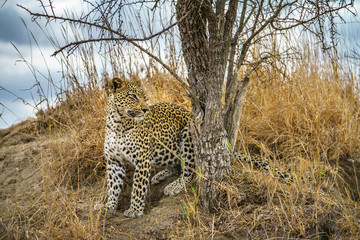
(312, 112)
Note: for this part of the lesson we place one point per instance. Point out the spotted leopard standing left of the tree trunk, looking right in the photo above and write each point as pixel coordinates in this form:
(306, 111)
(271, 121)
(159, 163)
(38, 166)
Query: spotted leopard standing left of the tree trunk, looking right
(144, 136)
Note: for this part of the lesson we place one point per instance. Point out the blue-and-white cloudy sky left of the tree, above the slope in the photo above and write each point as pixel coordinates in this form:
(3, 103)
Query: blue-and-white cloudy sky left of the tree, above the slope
(15, 74)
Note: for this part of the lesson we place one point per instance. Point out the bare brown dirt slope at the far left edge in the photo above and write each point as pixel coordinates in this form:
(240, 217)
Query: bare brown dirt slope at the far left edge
(20, 174)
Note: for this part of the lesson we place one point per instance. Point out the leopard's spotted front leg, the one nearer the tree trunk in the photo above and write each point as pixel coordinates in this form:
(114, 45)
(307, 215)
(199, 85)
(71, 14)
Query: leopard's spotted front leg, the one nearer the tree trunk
(139, 189)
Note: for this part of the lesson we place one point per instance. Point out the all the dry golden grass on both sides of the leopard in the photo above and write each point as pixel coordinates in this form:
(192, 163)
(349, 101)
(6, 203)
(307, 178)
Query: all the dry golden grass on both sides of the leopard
(308, 120)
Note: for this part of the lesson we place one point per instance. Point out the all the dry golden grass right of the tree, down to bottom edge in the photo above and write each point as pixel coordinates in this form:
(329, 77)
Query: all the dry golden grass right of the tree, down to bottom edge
(308, 120)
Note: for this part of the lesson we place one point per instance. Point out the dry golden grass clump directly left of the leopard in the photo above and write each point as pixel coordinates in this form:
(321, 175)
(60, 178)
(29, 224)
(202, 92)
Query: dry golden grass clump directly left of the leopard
(77, 143)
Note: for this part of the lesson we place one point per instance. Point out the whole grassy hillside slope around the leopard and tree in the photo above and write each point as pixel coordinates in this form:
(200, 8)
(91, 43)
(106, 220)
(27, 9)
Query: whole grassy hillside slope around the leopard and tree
(52, 168)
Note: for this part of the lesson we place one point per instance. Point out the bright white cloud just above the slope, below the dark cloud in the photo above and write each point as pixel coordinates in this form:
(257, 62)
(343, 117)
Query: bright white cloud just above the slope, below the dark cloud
(17, 78)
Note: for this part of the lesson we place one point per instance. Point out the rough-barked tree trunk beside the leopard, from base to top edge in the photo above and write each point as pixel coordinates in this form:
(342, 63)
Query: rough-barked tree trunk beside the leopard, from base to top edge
(204, 58)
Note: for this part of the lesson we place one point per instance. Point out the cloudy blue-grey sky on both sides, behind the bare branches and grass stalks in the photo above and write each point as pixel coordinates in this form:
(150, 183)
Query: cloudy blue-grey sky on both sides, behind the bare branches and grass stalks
(17, 80)
